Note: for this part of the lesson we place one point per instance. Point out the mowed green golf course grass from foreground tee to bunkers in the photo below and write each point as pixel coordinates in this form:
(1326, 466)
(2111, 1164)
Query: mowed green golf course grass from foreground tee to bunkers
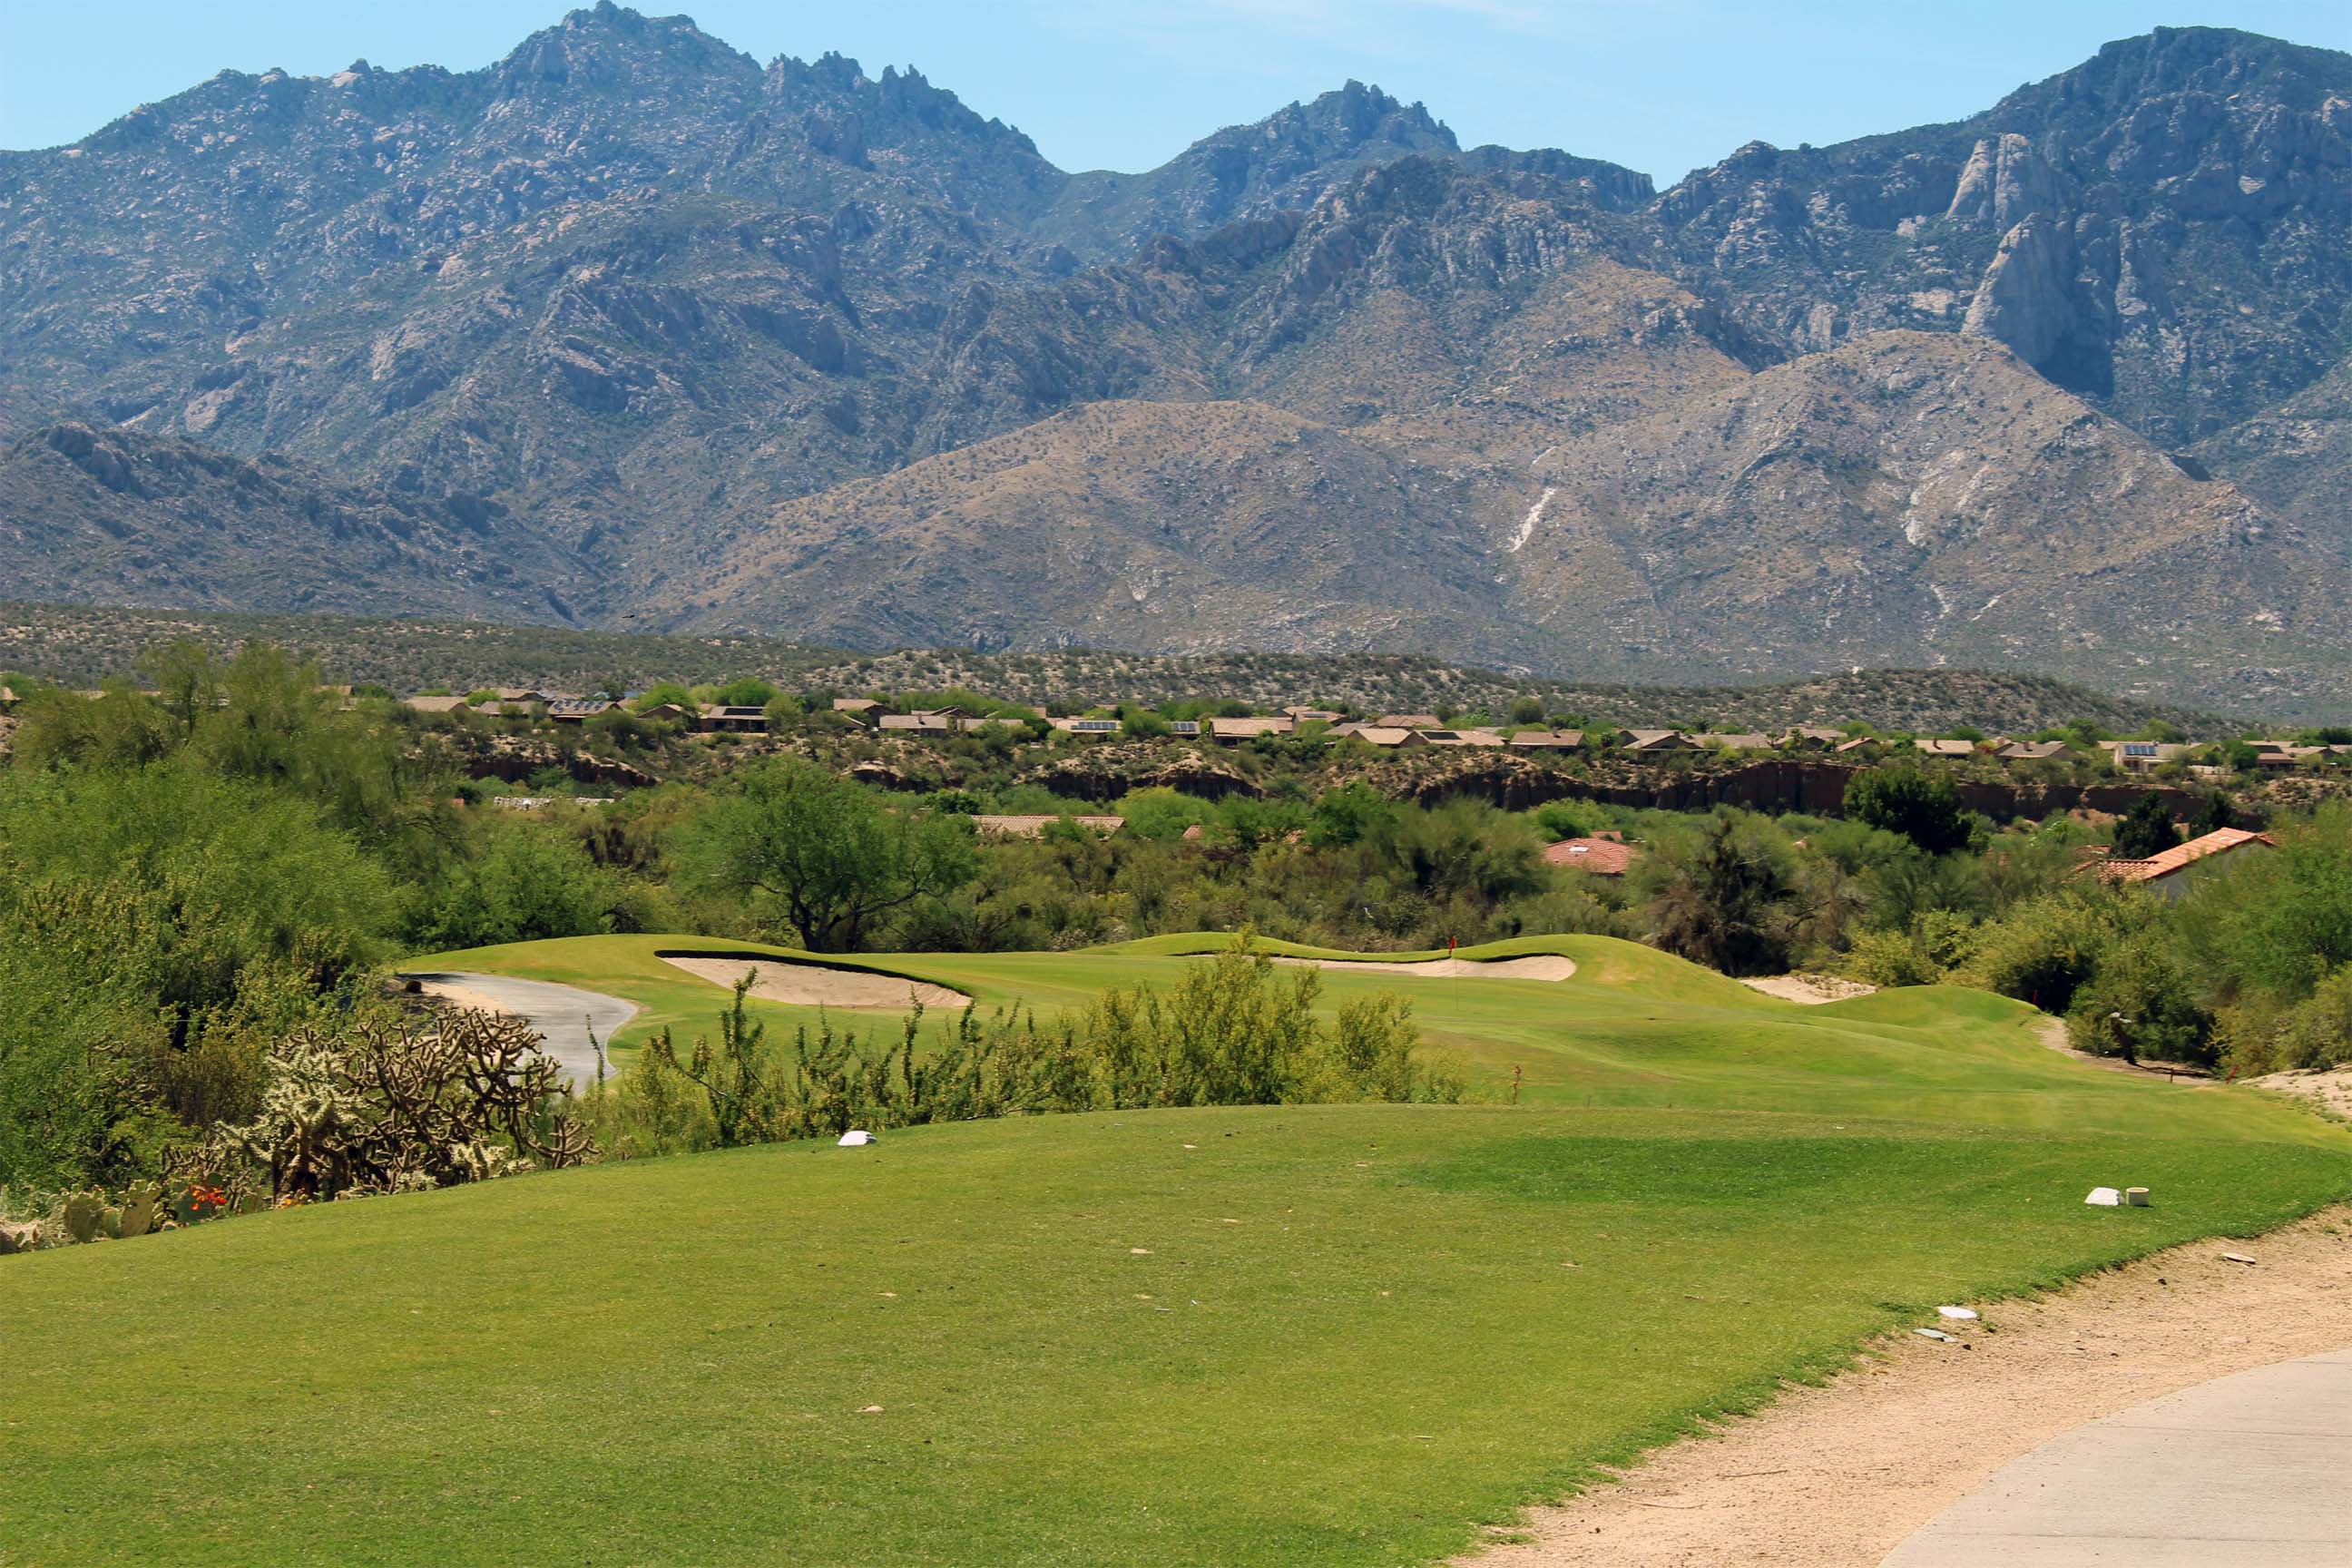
(1203, 1336)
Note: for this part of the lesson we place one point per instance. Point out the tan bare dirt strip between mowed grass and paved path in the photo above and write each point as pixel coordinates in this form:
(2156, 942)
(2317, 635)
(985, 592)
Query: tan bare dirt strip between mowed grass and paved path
(1836, 1477)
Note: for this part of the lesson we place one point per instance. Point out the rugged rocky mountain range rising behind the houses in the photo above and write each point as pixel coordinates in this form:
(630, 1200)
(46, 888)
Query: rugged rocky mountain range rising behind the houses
(632, 330)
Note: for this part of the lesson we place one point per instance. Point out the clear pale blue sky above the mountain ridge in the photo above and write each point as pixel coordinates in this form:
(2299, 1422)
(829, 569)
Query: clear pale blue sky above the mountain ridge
(1662, 86)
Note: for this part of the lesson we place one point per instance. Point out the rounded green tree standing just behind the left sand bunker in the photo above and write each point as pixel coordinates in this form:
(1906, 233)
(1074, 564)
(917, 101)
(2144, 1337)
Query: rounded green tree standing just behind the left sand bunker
(822, 855)
